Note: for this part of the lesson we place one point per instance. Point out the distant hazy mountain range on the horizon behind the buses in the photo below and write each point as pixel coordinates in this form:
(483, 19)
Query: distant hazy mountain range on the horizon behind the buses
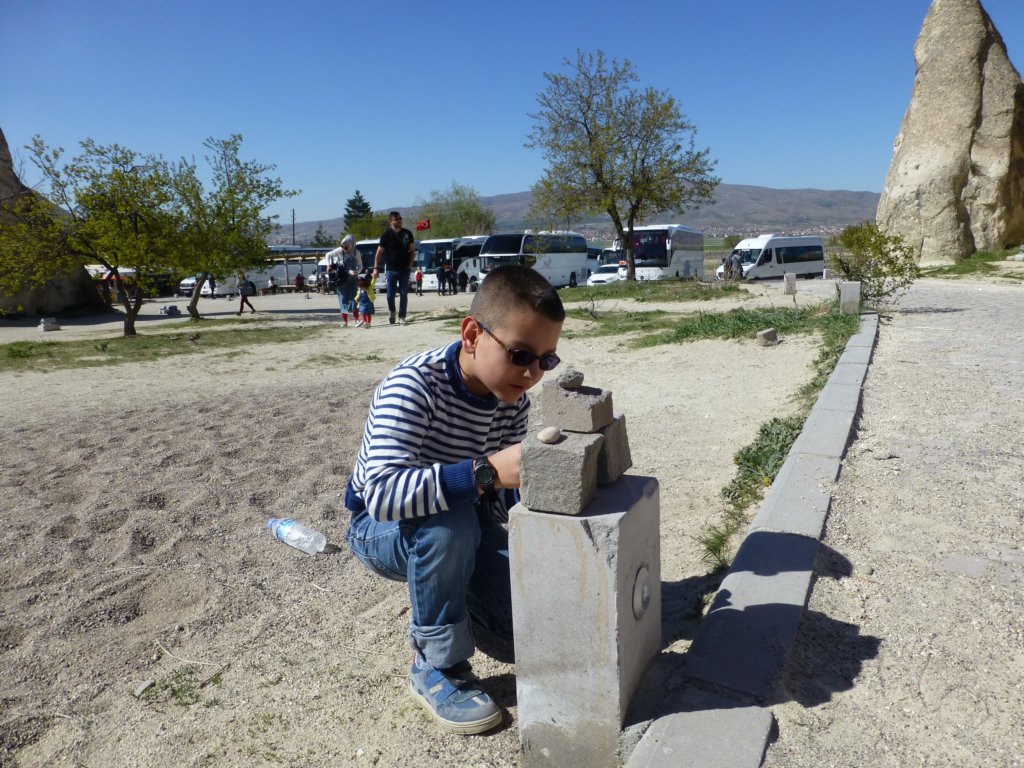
(739, 209)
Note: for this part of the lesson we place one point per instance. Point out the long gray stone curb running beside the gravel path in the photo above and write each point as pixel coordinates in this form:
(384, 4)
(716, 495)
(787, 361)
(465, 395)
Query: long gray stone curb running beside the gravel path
(716, 715)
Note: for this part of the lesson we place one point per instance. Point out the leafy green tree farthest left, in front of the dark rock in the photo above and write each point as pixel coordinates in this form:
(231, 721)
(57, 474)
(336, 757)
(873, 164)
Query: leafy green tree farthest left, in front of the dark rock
(108, 206)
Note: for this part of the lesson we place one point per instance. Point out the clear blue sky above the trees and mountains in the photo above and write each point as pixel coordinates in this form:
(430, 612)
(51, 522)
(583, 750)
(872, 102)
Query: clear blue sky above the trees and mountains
(400, 103)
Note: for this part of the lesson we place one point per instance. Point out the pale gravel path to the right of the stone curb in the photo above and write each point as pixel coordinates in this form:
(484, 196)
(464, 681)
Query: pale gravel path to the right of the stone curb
(912, 652)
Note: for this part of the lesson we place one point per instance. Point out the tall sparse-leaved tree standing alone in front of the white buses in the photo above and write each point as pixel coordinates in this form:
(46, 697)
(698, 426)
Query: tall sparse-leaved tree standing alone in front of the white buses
(614, 149)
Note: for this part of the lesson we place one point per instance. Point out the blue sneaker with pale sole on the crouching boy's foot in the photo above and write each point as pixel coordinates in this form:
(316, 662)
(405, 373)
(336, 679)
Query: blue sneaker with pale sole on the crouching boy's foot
(453, 698)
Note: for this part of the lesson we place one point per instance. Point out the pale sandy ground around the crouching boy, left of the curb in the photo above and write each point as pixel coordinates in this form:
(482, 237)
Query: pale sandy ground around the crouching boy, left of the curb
(136, 500)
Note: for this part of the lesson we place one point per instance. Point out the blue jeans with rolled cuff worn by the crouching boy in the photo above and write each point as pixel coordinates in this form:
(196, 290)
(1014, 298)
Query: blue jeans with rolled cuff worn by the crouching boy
(457, 566)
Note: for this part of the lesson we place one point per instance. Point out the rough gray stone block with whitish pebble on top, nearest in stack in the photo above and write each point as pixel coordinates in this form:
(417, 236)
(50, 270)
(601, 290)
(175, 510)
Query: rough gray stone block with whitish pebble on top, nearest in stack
(560, 478)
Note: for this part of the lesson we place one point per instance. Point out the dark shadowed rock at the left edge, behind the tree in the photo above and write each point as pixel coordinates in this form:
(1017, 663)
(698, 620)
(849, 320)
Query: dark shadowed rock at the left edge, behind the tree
(74, 291)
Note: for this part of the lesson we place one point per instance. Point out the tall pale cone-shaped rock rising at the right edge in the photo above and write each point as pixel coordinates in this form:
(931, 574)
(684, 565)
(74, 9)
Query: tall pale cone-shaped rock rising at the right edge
(957, 180)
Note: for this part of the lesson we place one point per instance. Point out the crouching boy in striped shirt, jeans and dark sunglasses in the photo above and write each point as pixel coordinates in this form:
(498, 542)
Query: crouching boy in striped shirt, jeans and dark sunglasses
(430, 493)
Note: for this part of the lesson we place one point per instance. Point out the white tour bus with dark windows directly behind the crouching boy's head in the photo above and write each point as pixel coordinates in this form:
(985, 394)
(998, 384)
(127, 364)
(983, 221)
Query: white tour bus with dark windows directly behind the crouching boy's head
(561, 258)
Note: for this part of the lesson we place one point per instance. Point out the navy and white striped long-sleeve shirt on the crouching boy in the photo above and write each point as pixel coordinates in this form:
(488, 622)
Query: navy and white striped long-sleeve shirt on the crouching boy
(423, 433)
